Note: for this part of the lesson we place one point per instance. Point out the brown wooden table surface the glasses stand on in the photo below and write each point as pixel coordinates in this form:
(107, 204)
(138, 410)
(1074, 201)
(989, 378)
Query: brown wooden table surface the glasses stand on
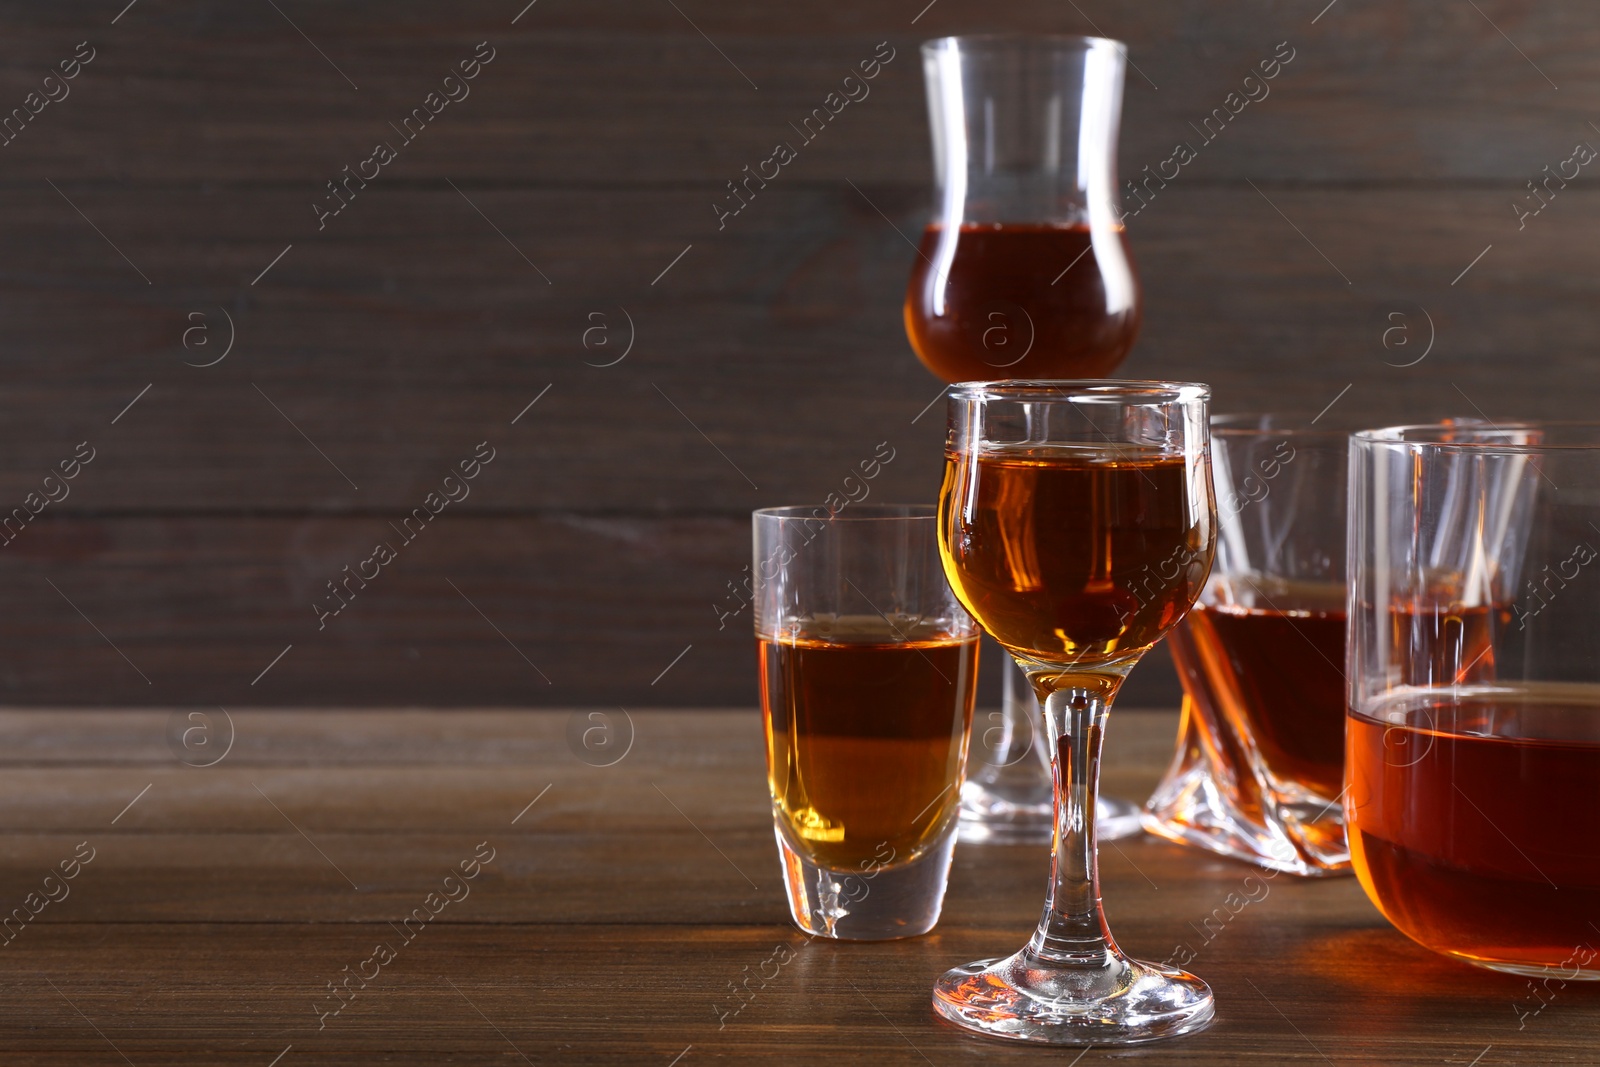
(617, 909)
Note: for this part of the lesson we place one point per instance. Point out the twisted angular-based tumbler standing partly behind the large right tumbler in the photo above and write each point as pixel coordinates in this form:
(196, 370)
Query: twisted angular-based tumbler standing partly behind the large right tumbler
(1260, 765)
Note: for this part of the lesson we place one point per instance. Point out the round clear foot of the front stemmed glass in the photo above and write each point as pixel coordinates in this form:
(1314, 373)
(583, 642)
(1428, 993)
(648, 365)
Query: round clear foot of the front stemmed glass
(1124, 1004)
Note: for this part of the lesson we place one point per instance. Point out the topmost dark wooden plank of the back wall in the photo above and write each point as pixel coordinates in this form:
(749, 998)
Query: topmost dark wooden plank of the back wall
(626, 92)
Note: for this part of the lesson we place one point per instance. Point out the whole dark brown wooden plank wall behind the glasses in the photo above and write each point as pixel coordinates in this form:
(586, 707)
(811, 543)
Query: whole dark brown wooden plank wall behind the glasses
(457, 287)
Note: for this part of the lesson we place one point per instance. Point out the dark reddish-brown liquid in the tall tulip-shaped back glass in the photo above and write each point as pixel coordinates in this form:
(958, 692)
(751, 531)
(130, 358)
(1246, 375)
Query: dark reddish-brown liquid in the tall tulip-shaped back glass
(1022, 300)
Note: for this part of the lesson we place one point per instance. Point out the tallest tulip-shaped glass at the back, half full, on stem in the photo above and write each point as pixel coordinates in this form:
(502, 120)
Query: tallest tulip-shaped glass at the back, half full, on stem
(1023, 273)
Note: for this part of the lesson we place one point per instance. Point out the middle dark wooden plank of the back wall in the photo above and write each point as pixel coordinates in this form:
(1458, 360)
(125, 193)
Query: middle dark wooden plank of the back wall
(778, 343)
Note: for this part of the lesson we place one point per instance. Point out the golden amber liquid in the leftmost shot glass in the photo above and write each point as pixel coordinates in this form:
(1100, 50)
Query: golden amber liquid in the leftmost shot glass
(866, 735)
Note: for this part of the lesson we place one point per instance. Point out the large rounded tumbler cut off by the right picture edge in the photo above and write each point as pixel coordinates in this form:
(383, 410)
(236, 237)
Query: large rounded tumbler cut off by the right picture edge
(1474, 724)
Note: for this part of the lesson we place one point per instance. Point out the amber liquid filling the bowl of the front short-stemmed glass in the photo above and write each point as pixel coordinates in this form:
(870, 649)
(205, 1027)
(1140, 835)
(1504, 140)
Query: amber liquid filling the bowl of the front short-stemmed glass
(1074, 554)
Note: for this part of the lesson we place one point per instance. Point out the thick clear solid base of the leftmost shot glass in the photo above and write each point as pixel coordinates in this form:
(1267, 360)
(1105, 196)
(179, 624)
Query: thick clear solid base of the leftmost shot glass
(871, 903)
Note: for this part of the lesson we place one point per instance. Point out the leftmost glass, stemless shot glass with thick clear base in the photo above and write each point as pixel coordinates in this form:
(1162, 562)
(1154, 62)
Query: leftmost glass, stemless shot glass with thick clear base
(870, 668)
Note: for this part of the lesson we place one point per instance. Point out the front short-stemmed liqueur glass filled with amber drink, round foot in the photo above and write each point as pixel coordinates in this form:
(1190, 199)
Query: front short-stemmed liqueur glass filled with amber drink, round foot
(1062, 500)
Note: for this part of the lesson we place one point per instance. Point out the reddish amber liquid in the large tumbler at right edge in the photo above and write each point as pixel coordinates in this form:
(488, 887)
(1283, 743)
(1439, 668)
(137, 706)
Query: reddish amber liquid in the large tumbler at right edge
(1471, 823)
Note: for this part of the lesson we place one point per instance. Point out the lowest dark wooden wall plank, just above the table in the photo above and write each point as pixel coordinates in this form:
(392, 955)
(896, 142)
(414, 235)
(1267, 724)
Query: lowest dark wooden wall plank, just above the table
(534, 612)
